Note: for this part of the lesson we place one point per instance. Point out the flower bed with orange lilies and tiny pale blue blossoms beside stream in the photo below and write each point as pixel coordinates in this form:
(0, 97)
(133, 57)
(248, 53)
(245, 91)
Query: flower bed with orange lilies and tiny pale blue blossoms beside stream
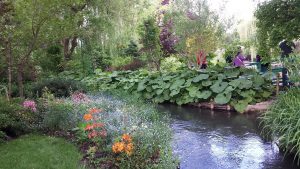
(119, 134)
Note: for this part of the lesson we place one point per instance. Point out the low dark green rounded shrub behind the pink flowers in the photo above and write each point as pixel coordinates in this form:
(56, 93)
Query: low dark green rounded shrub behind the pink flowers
(59, 87)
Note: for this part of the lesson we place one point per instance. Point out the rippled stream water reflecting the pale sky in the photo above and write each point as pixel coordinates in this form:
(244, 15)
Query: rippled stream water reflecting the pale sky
(220, 140)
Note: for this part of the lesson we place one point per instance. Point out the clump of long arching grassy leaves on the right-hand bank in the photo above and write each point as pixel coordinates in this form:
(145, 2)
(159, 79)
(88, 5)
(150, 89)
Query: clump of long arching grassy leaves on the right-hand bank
(281, 122)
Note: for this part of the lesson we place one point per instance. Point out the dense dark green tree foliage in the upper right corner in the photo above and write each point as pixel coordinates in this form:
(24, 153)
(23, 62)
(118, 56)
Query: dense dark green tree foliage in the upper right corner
(276, 20)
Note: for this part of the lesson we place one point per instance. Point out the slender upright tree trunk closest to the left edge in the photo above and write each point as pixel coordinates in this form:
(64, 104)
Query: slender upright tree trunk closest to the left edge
(9, 67)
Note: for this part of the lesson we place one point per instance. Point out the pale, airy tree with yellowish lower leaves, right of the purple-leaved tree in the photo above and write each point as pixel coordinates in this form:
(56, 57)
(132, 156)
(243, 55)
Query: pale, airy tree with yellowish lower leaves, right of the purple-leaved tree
(197, 26)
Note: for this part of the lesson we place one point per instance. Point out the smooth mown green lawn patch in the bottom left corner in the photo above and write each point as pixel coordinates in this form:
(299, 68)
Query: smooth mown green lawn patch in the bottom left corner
(39, 152)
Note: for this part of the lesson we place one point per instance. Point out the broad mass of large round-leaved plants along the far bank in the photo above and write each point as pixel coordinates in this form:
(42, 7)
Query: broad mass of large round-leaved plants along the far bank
(237, 87)
